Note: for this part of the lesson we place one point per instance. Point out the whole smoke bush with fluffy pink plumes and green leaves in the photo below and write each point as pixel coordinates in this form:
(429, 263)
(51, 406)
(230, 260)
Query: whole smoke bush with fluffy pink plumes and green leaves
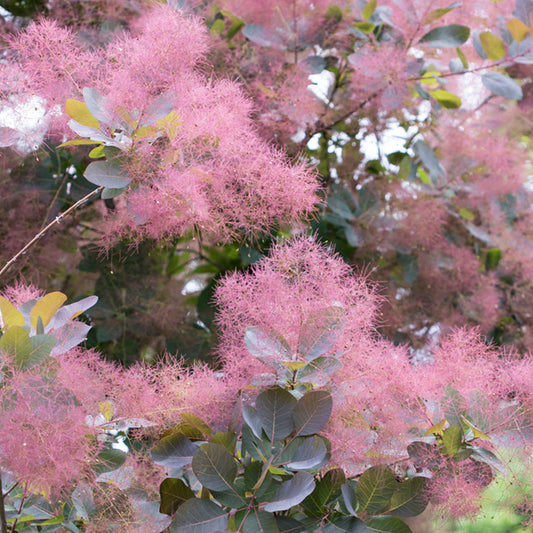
(307, 418)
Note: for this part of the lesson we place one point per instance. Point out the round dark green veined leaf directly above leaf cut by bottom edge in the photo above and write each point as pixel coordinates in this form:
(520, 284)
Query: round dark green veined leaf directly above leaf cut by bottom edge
(214, 467)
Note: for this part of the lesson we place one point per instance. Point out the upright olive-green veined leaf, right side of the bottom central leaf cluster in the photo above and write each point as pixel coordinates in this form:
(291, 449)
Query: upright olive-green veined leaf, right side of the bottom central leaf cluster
(375, 488)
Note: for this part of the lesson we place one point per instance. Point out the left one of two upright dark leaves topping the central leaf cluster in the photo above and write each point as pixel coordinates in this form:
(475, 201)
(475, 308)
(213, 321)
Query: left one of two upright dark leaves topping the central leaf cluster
(275, 409)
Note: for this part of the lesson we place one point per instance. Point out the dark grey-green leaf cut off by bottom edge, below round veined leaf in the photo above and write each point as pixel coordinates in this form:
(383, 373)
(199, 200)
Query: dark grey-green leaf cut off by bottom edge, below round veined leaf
(199, 516)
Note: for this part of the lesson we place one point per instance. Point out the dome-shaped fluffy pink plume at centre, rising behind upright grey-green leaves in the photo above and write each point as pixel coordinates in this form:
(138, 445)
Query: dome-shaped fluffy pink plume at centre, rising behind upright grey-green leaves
(297, 284)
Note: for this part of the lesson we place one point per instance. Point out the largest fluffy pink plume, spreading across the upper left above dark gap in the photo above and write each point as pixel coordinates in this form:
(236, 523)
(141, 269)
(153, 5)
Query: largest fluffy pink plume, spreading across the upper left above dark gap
(209, 171)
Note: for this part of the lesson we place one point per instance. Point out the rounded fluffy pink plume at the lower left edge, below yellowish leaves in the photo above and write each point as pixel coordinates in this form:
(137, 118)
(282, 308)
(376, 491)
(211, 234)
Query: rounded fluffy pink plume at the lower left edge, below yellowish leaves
(44, 440)
